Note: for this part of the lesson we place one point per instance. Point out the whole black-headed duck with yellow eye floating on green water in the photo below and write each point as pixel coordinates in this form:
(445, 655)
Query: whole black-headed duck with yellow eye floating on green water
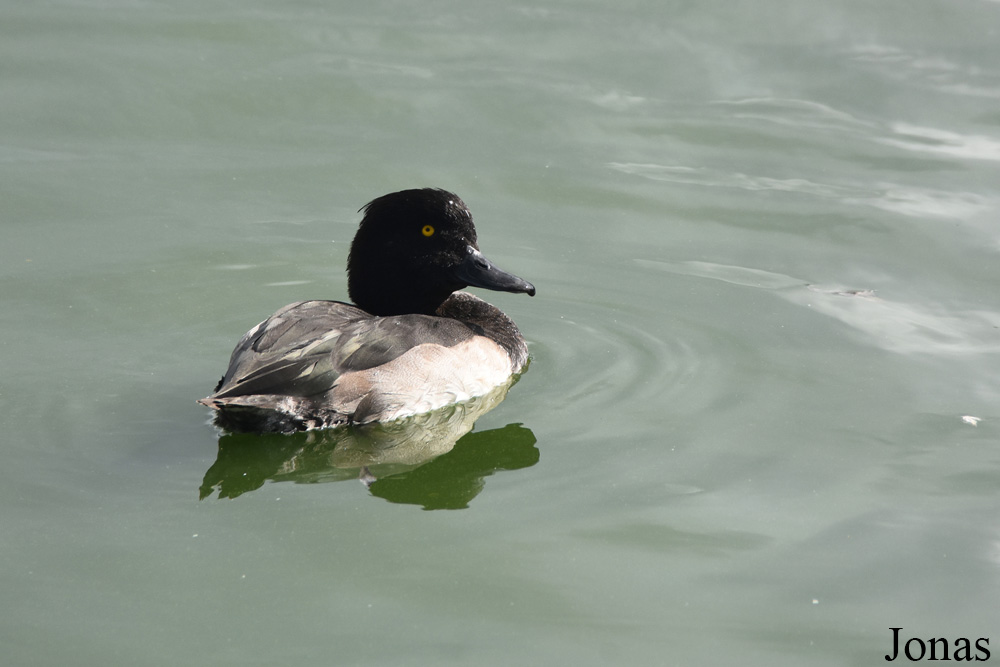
(413, 341)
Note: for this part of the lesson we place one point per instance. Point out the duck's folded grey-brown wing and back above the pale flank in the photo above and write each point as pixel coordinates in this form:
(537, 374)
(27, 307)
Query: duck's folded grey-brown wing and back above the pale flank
(305, 347)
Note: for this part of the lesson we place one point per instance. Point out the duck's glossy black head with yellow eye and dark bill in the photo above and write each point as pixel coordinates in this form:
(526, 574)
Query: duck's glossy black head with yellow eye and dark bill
(413, 249)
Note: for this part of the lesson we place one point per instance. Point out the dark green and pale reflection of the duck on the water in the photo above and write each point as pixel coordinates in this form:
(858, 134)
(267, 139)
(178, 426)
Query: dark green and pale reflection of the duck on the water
(413, 460)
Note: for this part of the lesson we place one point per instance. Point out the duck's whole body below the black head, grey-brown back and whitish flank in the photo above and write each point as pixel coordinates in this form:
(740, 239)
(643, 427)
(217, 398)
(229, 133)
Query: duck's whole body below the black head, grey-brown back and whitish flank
(322, 363)
